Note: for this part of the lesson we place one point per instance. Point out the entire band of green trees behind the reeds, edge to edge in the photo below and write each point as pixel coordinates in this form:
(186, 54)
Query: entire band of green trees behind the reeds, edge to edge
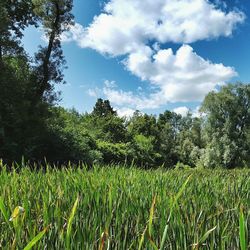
(33, 127)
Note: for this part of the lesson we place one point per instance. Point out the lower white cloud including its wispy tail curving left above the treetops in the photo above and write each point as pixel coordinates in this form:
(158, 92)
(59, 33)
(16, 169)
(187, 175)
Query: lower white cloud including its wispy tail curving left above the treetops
(180, 77)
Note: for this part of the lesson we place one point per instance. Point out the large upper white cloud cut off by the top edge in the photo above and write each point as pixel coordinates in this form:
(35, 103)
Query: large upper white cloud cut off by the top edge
(126, 25)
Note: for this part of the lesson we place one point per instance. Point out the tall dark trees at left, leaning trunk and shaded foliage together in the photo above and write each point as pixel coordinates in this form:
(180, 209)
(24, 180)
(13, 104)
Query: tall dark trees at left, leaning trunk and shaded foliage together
(26, 92)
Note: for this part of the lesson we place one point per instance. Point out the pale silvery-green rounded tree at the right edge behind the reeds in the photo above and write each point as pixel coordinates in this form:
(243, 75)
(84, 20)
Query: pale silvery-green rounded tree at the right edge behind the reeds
(227, 126)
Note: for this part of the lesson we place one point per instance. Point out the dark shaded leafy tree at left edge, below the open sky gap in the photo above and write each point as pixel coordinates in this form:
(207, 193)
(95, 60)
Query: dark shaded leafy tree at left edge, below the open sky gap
(22, 124)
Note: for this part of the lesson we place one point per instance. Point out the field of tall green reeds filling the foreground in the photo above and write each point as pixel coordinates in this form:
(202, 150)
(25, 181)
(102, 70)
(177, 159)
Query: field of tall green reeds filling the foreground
(125, 208)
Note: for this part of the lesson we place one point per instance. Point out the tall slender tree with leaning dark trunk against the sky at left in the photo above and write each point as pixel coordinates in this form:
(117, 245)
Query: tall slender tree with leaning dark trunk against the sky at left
(55, 17)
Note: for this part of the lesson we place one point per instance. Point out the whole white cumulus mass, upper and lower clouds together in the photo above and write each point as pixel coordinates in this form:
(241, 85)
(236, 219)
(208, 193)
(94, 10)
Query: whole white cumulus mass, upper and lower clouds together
(136, 29)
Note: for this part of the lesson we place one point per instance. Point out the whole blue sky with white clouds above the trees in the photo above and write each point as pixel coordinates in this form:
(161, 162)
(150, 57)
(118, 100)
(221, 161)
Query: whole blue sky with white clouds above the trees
(151, 55)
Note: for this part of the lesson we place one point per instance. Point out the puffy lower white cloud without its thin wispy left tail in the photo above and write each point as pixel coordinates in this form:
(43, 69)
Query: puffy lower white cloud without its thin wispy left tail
(181, 77)
